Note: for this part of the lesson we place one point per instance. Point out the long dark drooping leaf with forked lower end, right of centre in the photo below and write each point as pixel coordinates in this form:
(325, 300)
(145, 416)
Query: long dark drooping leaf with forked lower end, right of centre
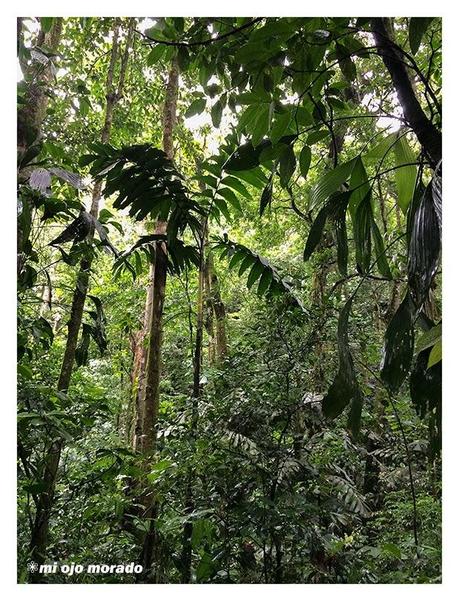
(345, 387)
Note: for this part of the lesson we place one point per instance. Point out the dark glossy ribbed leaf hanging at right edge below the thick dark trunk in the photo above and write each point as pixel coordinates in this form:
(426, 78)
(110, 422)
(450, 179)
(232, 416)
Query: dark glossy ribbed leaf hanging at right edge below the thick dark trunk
(424, 248)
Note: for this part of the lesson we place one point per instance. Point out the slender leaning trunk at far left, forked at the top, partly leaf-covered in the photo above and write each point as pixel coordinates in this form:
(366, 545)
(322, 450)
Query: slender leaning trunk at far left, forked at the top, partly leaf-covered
(40, 530)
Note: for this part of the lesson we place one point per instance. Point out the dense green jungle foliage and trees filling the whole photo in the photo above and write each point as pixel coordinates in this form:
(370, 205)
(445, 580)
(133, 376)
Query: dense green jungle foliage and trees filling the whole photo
(229, 299)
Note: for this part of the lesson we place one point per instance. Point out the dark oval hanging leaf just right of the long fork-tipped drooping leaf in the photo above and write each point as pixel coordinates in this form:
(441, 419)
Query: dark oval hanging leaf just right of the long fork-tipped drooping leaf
(398, 346)
